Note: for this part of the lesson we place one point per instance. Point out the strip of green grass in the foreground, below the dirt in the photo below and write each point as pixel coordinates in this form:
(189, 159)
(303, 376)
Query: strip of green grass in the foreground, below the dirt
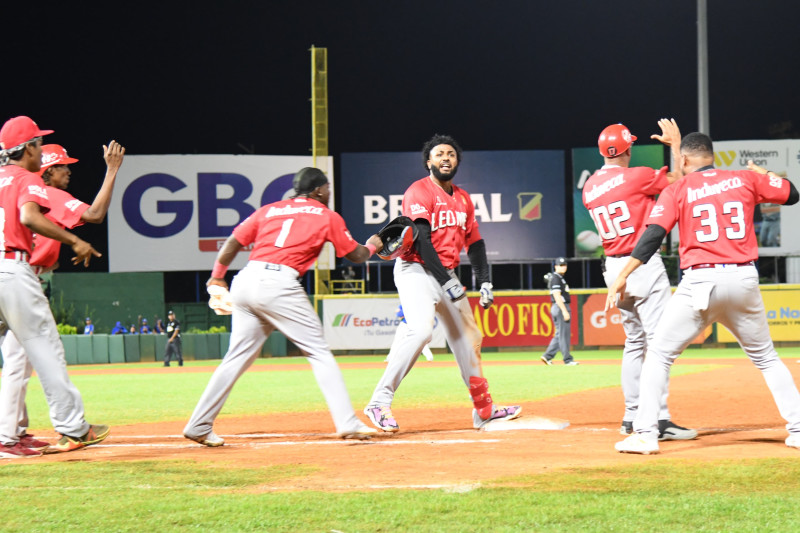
(748, 495)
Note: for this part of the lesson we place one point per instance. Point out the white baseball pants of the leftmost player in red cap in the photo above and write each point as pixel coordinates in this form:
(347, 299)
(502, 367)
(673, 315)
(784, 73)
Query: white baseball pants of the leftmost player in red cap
(25, 311)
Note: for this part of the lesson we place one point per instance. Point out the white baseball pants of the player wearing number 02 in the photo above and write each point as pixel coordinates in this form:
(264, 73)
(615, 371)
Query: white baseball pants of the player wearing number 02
(647, 292)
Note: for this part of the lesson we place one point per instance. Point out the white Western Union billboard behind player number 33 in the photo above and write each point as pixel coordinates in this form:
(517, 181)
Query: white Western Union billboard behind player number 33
(772, 223)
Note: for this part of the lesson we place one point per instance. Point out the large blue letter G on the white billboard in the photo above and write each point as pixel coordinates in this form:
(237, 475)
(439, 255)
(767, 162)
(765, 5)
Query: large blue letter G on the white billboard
(132, 198)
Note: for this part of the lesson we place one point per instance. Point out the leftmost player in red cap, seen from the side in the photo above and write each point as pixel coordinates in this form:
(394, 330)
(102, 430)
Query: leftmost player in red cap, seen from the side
(23, 307)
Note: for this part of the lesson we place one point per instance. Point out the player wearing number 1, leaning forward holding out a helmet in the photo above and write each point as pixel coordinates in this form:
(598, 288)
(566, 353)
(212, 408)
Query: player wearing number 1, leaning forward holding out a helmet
(287, 237)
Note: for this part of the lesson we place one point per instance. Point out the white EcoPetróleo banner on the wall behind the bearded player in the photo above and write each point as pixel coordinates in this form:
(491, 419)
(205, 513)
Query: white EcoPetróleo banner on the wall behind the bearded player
(366, 324)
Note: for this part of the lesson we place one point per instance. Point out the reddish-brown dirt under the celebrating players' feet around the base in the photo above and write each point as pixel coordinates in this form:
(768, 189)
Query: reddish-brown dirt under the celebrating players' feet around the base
(730, 406)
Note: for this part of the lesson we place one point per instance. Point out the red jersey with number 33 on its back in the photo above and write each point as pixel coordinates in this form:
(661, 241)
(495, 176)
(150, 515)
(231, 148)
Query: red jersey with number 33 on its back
(714, 212)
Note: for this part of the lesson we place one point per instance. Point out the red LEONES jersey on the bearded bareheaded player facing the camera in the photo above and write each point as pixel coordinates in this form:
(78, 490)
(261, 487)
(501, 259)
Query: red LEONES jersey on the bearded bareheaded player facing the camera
(452, 219)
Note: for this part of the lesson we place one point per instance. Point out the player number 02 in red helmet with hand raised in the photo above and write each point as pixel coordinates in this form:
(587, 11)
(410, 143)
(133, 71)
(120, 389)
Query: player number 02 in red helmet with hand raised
(619, 198)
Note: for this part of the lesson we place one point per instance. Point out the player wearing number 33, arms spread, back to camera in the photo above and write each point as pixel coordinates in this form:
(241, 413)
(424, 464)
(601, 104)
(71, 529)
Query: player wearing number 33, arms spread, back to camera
(714, 212)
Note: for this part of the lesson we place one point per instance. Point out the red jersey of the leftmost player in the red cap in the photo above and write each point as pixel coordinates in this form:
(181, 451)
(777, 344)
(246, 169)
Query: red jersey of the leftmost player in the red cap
(18, 187)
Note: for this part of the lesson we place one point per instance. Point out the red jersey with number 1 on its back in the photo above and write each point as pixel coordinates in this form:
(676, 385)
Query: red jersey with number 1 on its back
(292, 233)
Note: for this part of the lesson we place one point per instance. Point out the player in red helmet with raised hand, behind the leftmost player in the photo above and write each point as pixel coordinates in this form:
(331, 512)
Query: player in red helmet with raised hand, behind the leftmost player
(66, 212)
